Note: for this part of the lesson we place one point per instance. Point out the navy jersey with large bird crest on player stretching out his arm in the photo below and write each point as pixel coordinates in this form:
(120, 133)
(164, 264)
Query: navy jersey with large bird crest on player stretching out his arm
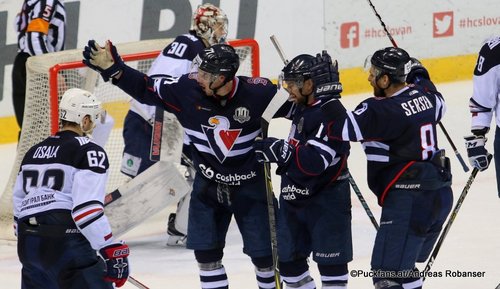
(221, 135)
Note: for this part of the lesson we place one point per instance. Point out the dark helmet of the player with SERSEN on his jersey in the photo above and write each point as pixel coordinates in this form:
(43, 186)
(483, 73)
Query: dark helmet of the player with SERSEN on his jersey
(392, 61)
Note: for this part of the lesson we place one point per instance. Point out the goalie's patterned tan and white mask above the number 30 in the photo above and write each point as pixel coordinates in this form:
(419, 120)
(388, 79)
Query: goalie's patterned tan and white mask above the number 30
(210, 23)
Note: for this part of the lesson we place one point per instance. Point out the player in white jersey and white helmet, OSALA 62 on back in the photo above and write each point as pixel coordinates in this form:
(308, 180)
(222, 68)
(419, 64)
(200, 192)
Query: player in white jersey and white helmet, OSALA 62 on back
(58, 207)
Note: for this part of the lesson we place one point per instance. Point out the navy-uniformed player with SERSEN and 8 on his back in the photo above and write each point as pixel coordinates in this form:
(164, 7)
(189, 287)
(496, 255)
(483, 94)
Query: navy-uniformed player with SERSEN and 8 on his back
(406, 169)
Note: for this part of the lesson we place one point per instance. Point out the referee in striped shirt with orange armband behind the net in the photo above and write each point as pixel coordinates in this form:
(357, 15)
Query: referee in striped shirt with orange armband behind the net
(40, 29)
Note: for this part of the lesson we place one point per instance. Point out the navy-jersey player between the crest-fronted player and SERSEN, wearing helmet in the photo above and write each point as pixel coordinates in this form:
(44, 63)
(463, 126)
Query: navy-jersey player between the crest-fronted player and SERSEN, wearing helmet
(315, 201)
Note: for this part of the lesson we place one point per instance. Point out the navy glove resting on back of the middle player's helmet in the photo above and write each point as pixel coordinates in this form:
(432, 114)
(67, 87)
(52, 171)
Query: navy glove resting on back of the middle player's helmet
(325, 75)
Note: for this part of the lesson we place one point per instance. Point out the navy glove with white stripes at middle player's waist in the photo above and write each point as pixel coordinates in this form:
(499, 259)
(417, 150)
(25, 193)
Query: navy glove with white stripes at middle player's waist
(273, 150)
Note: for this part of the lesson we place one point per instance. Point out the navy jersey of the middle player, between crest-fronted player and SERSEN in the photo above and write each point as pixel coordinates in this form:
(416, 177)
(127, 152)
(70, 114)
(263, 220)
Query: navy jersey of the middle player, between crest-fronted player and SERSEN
(318, 160)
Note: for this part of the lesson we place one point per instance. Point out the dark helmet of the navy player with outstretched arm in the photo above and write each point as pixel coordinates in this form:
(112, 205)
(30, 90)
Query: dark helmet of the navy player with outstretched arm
(220, 59)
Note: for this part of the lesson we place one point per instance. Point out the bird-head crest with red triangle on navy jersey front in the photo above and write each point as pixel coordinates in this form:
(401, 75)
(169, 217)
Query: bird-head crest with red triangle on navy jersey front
(220, 137)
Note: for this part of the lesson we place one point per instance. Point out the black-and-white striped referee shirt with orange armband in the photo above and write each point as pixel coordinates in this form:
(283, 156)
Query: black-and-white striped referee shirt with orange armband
(41, 26)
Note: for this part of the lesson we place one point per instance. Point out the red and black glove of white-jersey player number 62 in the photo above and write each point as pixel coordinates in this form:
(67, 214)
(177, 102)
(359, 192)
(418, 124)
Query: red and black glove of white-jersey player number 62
(115, 256)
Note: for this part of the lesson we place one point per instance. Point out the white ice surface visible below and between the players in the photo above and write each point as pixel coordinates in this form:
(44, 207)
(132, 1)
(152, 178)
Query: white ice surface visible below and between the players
(471, 245)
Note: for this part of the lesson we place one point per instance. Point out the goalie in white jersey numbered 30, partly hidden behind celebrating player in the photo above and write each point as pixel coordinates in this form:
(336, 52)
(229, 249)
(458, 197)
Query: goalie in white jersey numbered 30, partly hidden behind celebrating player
(209, 26)
